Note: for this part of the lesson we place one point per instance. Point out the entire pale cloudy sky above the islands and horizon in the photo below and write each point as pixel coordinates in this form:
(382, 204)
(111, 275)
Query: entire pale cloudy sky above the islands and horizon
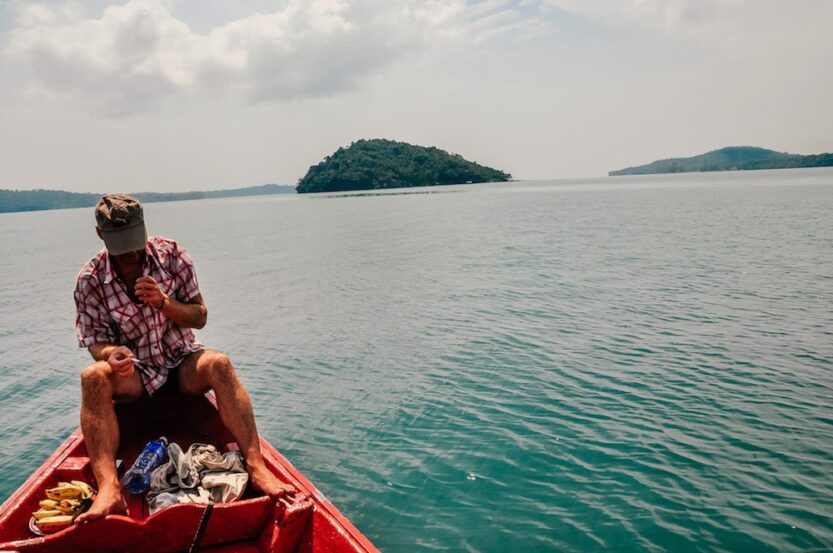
(177, 95)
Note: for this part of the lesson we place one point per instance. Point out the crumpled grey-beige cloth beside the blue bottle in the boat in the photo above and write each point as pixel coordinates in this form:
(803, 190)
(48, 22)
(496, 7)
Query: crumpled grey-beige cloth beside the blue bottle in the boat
(202, 475)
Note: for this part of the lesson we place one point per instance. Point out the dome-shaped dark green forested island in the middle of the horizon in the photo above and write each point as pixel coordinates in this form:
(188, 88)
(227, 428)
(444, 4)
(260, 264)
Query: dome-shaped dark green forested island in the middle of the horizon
(380, 164)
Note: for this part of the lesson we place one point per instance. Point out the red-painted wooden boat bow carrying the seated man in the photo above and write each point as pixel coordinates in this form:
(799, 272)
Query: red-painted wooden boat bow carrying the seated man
(304, 523)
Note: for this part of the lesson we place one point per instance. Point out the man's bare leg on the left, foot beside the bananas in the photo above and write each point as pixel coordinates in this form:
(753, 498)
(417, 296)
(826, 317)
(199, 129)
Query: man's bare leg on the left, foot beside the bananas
(99, 386)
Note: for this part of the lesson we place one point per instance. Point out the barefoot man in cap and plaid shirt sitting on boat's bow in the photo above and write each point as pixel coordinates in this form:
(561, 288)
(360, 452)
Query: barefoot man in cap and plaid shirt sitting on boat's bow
(137, 301)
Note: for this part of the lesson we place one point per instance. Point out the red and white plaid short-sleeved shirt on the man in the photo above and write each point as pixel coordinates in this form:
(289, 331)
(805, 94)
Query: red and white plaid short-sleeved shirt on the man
(106, 314)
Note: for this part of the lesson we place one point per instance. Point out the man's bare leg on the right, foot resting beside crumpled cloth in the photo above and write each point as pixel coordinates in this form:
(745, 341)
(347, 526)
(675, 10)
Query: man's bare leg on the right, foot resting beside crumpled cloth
(211, 369)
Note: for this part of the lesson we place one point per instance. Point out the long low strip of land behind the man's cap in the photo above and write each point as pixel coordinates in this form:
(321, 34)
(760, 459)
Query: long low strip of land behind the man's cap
(36, 200)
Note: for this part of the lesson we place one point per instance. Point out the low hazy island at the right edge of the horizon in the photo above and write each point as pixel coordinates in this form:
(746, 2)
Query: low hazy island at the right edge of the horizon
(733, 158)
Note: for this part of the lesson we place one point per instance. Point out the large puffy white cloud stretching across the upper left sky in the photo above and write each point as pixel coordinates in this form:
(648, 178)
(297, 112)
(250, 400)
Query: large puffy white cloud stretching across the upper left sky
(132, 55)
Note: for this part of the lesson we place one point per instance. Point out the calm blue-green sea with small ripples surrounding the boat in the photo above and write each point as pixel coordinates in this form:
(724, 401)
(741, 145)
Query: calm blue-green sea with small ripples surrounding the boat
(635, 364)
